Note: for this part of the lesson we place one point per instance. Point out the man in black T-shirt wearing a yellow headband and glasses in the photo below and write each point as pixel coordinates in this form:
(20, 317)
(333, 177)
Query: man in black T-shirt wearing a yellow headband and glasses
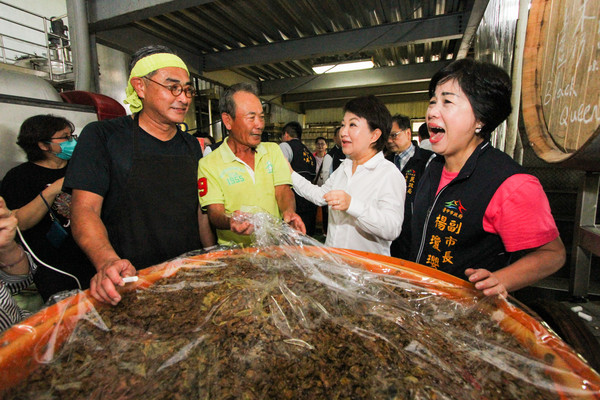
(135, 199)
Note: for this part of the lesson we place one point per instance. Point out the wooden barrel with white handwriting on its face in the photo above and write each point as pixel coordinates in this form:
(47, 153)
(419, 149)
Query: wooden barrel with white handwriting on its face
(561, 82)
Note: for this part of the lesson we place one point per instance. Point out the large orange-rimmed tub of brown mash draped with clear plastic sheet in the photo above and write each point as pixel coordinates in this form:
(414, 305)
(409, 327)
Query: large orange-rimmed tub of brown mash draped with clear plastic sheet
(290, 319)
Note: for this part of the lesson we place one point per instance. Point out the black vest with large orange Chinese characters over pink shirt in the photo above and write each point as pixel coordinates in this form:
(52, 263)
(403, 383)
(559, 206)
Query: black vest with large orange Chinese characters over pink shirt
(447, 228)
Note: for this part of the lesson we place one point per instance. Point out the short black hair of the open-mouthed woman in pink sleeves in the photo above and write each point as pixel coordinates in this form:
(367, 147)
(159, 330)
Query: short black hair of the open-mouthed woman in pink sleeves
(487, 86)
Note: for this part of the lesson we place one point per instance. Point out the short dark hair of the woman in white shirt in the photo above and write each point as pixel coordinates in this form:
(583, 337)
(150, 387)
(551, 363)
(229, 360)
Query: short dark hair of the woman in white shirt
(376, 113)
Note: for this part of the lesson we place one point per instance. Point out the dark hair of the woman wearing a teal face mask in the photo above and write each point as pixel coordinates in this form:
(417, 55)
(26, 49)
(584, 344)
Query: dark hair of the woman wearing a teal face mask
(40, 128)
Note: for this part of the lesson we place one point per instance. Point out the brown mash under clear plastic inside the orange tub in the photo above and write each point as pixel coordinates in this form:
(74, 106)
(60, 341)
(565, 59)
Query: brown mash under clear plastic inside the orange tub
(270, 325)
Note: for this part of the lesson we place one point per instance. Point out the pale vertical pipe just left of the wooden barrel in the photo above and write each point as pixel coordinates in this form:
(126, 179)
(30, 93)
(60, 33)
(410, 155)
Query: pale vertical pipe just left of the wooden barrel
(512, 127)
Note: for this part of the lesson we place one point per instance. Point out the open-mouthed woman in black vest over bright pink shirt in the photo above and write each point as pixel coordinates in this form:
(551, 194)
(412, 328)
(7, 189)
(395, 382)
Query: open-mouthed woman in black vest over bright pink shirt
(475, 207)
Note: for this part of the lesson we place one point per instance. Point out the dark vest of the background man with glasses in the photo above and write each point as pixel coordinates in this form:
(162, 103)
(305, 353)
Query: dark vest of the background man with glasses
(412, 171)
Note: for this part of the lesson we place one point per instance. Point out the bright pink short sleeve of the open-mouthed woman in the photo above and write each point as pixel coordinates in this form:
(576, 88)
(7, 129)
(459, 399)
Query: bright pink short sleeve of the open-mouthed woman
(520, 214)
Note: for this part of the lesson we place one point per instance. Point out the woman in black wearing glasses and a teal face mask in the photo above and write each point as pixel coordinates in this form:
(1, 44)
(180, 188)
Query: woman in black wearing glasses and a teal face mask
(34, 191)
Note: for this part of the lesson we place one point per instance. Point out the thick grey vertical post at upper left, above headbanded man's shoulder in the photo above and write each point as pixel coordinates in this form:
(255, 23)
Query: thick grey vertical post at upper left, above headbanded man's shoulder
(80, 44)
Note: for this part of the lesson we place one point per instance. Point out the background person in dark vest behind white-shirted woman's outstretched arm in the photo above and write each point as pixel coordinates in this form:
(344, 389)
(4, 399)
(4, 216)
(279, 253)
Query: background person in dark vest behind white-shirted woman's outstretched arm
(303, 162)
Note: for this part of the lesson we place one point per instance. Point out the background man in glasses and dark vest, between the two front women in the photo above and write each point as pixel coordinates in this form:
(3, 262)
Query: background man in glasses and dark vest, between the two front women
(411, 160)
